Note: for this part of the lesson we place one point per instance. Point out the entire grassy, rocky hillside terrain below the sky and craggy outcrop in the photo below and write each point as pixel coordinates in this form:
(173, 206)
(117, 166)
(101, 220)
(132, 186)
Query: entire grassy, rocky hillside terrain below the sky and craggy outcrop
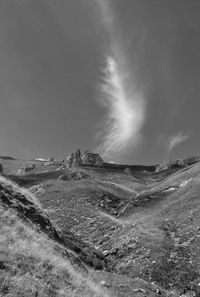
(125, 230)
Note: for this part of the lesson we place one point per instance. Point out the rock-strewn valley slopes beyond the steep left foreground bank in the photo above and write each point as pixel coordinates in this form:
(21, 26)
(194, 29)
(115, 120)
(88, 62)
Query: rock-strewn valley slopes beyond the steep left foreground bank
(143, 226)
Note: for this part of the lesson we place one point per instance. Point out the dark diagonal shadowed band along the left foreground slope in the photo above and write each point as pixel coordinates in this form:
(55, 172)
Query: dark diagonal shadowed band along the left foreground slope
(12, 197)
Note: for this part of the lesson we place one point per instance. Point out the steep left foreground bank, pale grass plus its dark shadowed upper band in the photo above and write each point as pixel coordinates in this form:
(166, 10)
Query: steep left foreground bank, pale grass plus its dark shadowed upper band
(34, 257)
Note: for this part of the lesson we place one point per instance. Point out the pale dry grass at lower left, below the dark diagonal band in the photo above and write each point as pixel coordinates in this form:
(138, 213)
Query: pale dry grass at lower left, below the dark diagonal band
(30, 265)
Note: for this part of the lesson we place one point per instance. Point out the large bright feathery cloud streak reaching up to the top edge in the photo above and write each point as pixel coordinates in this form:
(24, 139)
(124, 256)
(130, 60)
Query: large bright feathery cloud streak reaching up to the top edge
(124, 105)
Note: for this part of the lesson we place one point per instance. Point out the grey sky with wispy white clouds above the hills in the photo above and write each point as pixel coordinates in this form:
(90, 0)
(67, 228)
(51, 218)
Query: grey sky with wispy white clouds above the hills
(118, 77)
